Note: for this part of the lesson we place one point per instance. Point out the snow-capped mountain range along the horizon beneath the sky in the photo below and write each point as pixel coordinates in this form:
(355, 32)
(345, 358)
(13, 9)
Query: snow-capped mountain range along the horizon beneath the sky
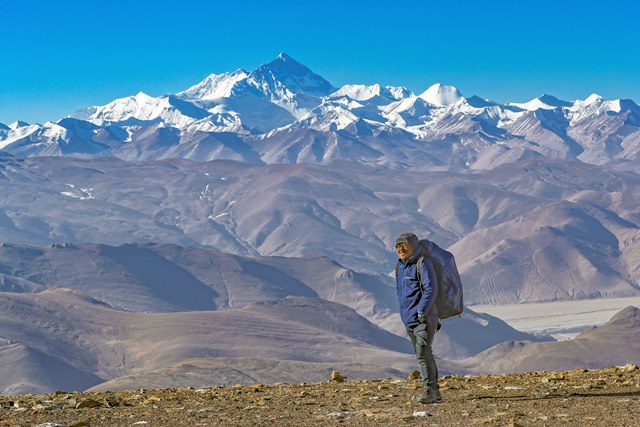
(282, 112)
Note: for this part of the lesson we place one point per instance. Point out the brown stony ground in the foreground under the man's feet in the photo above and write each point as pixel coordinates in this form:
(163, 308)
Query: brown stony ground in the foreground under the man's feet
(609, 397)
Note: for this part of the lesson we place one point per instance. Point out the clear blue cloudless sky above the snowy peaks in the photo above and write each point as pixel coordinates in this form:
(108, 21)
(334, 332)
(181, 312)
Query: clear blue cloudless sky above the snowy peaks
(58, 56)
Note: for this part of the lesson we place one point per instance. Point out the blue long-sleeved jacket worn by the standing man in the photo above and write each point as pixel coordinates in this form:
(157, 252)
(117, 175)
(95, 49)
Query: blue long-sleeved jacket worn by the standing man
(413, 298)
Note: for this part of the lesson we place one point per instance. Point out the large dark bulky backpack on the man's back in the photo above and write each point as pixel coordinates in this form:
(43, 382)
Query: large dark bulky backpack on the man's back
(449, 299)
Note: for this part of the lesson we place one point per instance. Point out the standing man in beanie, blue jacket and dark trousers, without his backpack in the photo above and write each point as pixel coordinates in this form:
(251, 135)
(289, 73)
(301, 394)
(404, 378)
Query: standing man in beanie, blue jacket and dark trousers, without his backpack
(417, 293)
